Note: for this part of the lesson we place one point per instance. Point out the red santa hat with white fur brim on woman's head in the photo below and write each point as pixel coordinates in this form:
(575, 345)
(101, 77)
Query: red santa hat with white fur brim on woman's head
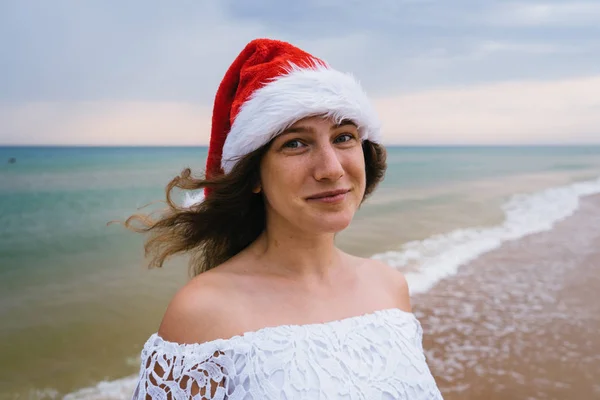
(271, 85)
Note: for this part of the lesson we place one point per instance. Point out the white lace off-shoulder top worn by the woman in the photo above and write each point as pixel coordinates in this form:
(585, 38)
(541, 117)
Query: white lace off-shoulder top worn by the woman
(372, 356)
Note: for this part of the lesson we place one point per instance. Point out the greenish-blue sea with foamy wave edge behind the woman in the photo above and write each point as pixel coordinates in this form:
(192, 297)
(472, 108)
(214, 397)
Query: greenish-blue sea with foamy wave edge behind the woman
(77, 301)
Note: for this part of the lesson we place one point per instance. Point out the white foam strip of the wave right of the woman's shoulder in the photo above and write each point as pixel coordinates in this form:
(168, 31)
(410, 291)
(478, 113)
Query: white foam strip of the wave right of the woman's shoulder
(426, 262)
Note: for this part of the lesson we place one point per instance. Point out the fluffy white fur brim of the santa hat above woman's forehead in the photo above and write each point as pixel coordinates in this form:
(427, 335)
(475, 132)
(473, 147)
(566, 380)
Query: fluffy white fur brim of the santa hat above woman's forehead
(301, 92)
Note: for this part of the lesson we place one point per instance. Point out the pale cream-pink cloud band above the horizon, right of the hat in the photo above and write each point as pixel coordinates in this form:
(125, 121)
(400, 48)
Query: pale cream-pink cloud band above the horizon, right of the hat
(555, 112)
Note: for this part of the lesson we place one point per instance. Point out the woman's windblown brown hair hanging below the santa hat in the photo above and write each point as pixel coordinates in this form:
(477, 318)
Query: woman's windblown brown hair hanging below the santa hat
(229, 219)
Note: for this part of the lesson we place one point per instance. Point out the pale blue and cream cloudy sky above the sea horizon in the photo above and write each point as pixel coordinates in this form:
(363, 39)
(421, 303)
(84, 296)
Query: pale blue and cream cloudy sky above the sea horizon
(112, 72)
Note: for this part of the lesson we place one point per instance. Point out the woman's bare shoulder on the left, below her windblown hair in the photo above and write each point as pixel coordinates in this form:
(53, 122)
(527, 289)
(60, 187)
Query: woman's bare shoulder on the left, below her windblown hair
(204, 309)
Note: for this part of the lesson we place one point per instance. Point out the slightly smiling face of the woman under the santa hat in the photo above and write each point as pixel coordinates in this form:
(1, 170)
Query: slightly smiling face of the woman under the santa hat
(313, 175)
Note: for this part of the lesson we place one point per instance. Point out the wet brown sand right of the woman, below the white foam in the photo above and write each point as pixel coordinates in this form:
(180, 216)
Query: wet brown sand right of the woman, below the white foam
(522, 321)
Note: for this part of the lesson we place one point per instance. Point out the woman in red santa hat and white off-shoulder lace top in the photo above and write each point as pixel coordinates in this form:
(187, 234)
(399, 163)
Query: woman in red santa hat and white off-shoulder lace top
(276, 310)
